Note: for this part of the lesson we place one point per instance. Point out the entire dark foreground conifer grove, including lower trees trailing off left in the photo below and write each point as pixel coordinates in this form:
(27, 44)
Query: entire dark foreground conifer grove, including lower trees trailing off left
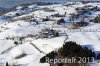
(70, 49)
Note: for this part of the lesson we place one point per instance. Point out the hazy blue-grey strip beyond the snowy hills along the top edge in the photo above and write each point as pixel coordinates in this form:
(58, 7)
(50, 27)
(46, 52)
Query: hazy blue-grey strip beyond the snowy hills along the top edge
(12, 3)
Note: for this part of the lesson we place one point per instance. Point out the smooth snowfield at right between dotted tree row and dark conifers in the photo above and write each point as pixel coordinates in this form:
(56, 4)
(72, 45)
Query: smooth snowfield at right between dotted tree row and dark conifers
(91, 39)
